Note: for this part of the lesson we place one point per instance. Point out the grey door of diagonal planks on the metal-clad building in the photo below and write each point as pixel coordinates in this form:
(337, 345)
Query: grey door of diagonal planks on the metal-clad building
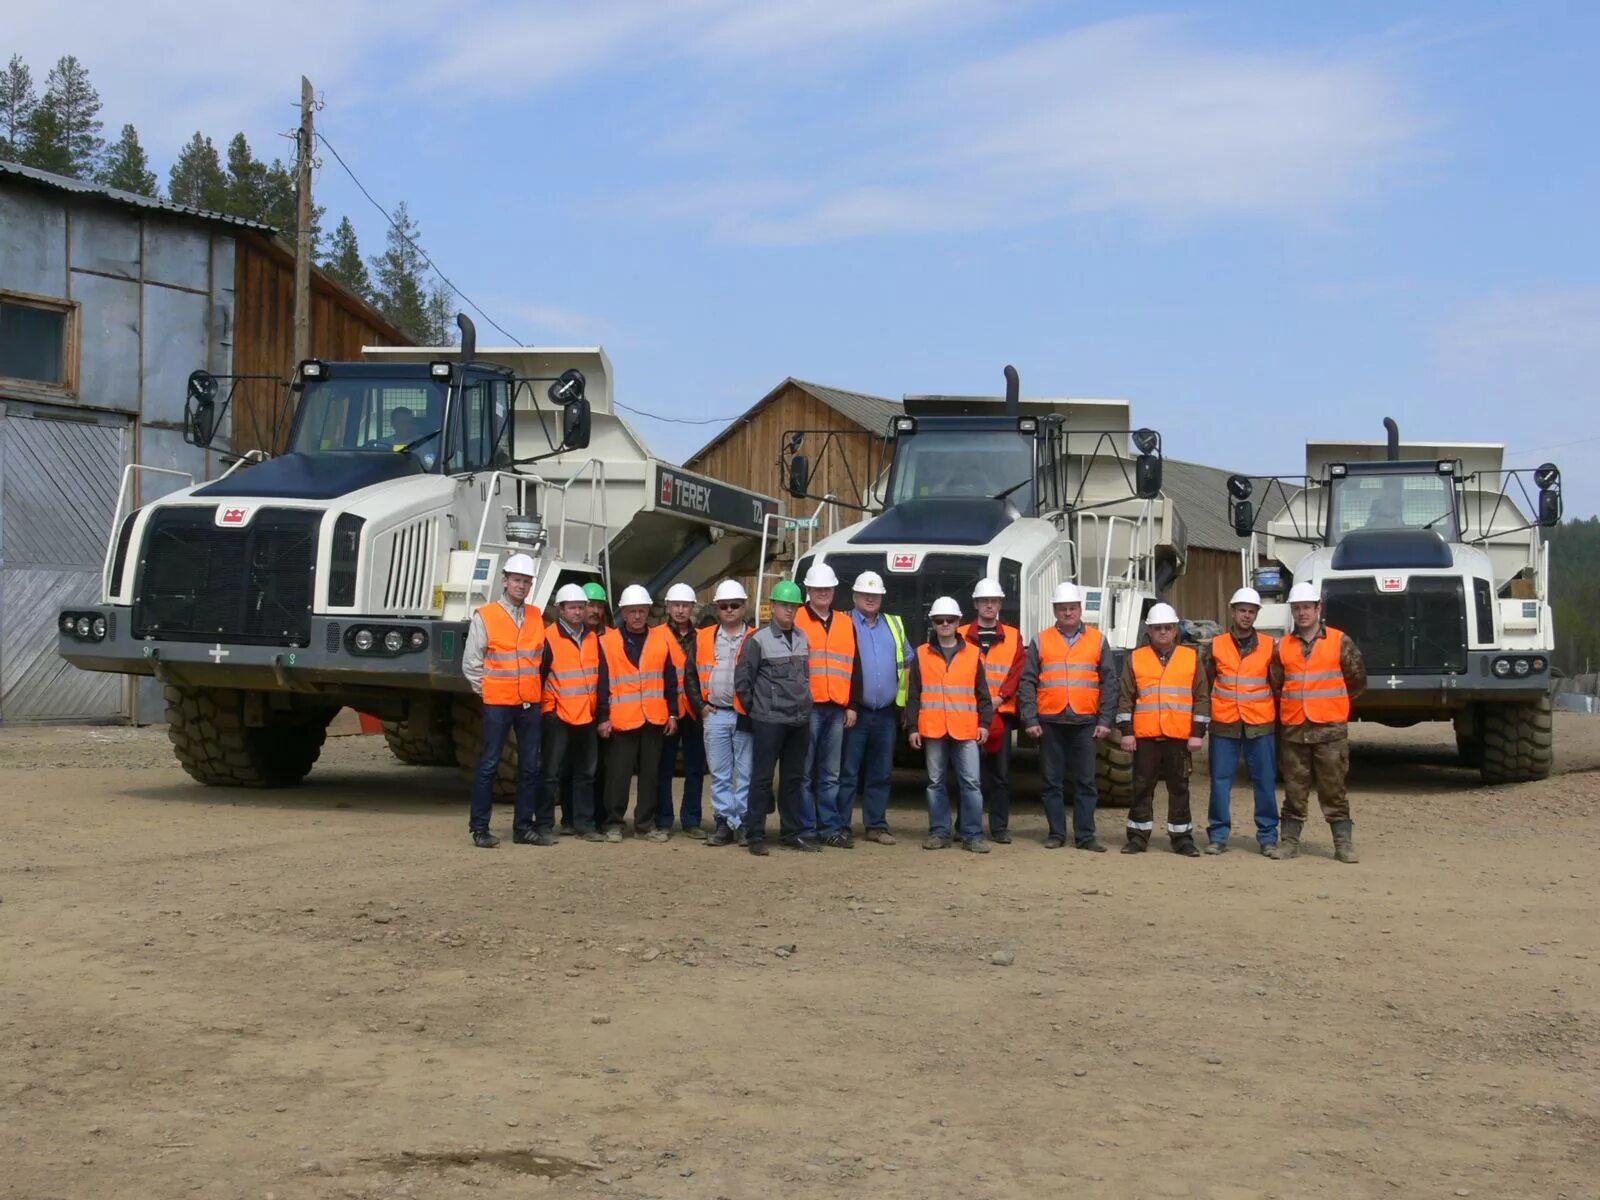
(58, 494)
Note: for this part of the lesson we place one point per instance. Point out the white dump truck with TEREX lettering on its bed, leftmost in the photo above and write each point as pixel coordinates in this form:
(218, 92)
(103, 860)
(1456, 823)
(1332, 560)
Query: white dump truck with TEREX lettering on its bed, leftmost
(345, 570)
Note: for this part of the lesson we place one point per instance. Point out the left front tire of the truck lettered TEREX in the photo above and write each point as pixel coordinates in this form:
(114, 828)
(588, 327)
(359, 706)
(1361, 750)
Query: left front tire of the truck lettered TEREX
(214, 743)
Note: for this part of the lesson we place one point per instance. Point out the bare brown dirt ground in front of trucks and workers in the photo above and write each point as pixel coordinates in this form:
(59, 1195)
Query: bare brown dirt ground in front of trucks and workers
(329, 993)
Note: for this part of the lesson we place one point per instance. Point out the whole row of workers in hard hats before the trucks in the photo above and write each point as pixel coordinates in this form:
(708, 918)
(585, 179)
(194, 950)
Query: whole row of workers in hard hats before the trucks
(818, 698)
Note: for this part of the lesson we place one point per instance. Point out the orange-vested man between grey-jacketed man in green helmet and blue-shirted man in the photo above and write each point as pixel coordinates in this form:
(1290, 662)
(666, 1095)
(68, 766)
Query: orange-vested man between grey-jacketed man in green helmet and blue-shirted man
(836, 690)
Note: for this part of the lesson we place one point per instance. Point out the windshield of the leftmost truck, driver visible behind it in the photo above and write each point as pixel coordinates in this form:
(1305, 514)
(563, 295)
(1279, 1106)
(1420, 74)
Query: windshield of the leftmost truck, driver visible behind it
(378, 415)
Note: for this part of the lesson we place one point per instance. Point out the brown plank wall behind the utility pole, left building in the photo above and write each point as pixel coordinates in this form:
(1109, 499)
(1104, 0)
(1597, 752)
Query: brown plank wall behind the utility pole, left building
(265, 335)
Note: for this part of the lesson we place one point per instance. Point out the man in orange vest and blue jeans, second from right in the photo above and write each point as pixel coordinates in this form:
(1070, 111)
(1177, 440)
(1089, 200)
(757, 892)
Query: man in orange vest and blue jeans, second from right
(1244, 671)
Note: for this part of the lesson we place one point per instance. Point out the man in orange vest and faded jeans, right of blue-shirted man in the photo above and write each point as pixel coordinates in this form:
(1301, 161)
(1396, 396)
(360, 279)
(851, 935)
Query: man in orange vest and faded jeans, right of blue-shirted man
(948, 711)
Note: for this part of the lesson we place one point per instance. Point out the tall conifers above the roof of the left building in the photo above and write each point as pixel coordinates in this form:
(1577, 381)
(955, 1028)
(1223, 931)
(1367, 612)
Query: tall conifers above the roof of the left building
(60, 132)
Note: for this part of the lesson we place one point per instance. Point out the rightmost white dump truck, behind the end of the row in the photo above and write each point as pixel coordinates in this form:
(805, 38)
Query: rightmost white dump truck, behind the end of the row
(1433, 558)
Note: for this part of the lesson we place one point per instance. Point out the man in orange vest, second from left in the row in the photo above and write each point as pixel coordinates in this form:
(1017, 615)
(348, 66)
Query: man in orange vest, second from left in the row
(572, 673)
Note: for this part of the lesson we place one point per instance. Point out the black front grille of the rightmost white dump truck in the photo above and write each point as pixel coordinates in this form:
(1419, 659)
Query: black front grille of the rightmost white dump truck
(1420, 631)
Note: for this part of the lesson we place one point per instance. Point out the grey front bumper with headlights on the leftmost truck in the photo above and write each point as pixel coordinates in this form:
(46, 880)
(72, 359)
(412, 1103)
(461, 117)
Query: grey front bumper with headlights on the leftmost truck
(326, 665)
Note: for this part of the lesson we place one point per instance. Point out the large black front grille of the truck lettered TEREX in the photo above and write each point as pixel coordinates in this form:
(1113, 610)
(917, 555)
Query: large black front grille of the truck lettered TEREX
(201, 583)
